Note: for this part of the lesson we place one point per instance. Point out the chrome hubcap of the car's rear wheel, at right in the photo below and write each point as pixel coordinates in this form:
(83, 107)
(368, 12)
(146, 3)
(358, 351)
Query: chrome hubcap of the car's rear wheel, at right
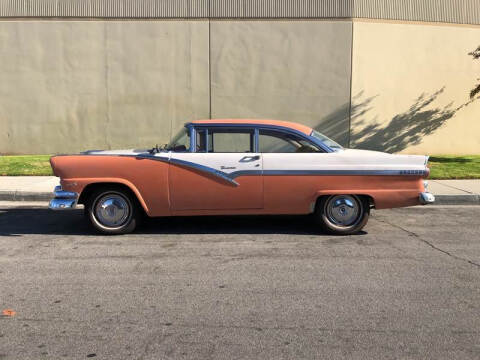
(343, 210)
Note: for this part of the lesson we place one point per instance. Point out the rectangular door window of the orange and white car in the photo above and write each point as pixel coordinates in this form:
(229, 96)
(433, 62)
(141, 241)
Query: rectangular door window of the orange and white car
(225, 140)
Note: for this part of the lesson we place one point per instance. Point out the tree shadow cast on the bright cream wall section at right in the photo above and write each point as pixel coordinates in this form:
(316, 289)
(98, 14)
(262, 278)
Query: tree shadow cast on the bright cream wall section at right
(405, 129)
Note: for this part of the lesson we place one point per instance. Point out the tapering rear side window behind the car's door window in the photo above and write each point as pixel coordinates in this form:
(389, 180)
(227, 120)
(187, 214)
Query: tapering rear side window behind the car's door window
(280, 142)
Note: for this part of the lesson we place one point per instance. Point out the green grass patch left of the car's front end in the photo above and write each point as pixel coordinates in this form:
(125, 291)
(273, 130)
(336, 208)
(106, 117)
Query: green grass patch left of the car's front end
(25, 165)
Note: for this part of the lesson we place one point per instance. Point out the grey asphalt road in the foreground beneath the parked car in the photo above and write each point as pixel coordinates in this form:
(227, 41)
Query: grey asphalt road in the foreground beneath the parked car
(241, 288)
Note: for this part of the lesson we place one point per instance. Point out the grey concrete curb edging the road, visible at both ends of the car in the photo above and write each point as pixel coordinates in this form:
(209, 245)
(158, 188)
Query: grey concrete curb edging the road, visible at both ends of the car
(470, 199)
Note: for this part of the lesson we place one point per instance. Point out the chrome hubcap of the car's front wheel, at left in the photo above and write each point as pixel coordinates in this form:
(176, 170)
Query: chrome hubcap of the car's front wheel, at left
(112, 210)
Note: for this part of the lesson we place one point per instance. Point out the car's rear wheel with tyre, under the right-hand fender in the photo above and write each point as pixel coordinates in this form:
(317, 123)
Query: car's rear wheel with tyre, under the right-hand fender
(342, 214)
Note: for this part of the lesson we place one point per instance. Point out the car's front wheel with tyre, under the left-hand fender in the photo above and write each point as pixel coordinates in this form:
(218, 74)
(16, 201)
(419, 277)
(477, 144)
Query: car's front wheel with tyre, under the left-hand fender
(112, 211)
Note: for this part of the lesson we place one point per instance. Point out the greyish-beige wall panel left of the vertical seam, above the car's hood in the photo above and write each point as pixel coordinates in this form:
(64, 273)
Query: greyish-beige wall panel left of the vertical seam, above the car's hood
(67, 86)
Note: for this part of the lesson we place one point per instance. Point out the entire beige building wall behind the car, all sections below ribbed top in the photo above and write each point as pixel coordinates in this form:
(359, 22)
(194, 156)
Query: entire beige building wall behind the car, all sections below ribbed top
(71, 85)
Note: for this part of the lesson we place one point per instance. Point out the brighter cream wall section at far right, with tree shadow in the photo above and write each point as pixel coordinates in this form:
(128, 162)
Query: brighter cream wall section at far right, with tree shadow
(410, 88)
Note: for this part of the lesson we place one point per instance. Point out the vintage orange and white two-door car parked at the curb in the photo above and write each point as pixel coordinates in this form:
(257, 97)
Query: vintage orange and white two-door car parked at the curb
(239, 167)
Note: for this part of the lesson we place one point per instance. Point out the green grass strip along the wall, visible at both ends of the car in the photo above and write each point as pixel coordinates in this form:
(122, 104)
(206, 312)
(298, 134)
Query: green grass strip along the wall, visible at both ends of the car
(442, 166)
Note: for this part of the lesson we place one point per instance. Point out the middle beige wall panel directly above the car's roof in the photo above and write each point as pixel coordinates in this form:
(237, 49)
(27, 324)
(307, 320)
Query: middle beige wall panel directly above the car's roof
(287, 70)
